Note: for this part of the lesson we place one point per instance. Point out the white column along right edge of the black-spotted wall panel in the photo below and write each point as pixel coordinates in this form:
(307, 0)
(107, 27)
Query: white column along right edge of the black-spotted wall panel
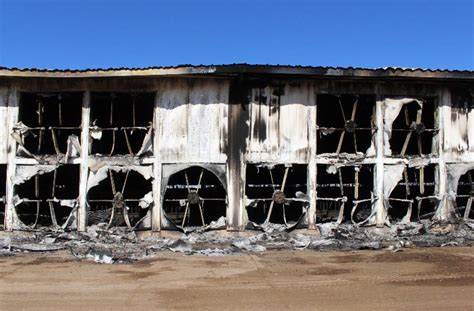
(312, 165)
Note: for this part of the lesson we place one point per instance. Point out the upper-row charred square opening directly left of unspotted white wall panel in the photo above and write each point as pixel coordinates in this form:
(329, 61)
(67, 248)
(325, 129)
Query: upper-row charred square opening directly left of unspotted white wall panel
(120, 122)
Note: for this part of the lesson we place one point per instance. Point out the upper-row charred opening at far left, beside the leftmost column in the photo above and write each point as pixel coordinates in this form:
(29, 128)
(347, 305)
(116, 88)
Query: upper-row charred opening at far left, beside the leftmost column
(50, 119)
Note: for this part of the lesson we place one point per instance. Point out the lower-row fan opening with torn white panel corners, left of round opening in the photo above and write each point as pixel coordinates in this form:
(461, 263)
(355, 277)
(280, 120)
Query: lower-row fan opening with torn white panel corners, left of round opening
(120, 197)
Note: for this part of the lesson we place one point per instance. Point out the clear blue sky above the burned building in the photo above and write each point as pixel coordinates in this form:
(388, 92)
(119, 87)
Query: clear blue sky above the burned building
(139, 33)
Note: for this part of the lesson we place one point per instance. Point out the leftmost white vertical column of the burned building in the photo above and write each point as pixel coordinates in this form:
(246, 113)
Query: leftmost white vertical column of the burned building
(12, 118)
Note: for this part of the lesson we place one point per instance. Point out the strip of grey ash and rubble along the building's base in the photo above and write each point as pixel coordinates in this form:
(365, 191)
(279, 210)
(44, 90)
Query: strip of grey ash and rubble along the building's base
(121, 245)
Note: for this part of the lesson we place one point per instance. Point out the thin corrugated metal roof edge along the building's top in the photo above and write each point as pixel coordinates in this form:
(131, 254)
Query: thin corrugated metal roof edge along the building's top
(239, 69)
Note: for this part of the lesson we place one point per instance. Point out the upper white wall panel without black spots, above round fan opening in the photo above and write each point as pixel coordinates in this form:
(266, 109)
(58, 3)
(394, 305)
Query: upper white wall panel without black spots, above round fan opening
(192, 120)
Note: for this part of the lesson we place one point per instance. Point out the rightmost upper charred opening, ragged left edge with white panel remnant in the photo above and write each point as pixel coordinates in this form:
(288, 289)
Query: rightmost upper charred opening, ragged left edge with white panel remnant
(414, 129)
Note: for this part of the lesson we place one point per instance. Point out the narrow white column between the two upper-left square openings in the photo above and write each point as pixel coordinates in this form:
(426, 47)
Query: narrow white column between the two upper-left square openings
(82, 211)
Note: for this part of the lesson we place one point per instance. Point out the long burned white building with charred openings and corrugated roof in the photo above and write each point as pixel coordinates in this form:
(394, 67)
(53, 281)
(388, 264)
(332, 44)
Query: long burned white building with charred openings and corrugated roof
(240, 145)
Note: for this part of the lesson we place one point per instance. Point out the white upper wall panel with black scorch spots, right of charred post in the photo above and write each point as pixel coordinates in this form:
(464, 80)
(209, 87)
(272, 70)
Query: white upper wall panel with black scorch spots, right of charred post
(279, 123)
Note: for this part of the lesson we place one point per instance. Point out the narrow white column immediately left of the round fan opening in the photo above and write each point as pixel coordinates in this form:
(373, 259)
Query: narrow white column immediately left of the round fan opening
(157, 166)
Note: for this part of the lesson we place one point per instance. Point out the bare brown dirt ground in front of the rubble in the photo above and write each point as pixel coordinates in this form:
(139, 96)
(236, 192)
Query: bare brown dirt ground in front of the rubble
(413, 279)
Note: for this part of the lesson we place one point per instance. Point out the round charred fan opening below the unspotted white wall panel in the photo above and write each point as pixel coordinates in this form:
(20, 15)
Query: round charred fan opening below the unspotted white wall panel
(194, 197)
